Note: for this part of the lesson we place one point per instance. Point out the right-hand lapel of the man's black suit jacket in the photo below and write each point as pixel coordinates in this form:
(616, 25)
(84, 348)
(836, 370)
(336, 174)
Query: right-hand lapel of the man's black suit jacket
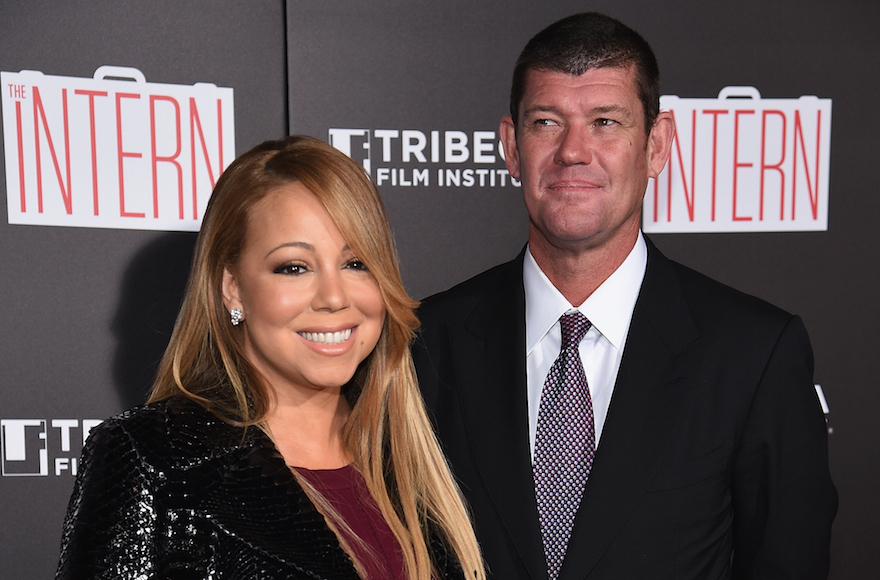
(642, 417)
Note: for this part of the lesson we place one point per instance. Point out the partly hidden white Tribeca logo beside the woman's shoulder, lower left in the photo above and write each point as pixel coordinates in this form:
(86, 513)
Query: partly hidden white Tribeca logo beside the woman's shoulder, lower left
(25, 445)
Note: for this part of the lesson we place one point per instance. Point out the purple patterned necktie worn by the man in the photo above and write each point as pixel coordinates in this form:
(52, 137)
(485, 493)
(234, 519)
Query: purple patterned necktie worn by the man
(565, 443)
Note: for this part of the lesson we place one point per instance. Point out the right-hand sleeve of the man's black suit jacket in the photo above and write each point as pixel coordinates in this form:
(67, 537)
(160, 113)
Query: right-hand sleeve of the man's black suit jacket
(784, 499)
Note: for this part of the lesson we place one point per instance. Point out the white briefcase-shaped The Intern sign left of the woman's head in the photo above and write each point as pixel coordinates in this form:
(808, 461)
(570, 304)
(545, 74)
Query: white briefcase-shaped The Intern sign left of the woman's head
(113, 151)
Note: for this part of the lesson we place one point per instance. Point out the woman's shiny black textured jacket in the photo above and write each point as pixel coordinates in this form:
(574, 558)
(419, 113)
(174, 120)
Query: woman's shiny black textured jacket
(167, 490)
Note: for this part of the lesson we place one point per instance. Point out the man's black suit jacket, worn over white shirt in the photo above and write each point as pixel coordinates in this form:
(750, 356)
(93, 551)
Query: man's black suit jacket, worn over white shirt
(713, 459)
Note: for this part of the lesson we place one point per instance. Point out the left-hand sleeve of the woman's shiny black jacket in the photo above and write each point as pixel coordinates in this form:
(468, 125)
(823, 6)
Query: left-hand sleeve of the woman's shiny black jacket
(110, 530)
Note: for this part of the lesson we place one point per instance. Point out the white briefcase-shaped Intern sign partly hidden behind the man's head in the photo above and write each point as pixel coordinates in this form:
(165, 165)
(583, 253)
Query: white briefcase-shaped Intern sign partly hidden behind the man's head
(742, 163)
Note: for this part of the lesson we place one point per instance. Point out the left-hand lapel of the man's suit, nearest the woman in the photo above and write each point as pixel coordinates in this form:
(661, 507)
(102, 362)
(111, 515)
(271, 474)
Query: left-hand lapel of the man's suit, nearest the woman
(492, 376)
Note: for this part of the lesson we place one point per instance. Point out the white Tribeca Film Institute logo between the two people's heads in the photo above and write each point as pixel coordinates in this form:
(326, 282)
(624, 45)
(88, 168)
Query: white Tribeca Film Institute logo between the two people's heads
(413, 158)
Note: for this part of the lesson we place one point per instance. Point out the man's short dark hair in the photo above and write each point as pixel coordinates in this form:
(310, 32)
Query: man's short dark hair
(587, 41)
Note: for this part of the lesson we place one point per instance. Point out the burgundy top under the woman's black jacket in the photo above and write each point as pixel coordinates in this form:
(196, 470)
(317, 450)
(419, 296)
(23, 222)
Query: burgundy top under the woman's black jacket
(347, 492)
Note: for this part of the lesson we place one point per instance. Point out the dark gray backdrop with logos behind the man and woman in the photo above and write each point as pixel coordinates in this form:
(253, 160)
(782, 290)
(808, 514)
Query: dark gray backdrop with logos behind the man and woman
(118, 116)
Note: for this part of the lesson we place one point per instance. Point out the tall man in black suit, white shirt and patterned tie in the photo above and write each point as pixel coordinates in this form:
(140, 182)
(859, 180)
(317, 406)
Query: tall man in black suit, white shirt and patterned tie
(681, 436)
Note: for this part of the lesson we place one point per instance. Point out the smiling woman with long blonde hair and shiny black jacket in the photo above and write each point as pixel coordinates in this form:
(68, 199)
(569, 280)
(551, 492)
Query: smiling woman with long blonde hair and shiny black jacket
(285, 435)
